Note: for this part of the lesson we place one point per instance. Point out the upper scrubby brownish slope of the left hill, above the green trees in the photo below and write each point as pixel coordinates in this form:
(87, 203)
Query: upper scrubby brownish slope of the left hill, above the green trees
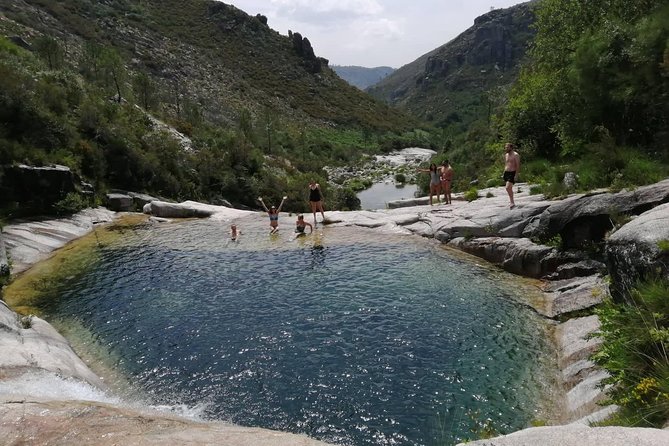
(212, 54)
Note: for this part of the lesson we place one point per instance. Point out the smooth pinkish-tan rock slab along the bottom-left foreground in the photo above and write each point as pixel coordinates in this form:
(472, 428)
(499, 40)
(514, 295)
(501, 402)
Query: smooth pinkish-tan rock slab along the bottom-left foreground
(67, 423)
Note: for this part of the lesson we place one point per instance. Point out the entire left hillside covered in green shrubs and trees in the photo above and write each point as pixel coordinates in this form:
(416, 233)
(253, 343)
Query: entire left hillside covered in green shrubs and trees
(94, 100)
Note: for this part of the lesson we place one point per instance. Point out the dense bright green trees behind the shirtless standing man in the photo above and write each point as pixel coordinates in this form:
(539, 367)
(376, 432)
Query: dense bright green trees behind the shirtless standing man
(593, 100)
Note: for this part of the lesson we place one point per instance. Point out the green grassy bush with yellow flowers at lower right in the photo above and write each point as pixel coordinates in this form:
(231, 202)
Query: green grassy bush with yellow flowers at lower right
(635, 353)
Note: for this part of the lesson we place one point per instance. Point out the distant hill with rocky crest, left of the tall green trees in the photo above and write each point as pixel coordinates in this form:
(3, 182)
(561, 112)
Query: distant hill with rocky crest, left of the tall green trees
(456, 82)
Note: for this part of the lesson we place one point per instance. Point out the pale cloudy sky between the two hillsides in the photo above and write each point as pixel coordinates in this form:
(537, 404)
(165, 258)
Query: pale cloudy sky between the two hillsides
(372, 33)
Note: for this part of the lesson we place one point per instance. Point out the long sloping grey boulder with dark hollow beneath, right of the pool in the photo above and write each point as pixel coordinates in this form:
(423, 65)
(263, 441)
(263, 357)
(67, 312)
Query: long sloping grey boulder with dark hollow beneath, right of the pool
(586, 218)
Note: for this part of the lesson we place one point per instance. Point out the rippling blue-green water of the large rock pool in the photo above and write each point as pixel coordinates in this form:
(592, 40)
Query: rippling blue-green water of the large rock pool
(349, 336)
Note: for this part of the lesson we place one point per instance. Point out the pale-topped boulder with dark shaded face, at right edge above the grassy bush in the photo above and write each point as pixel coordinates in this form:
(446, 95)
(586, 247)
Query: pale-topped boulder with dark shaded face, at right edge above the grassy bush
(635, 251)
